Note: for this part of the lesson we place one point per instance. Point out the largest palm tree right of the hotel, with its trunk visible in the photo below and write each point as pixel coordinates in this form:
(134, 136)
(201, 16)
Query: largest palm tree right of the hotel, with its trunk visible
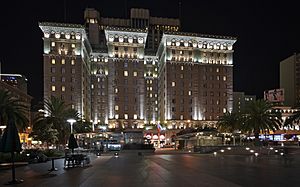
(260, 117)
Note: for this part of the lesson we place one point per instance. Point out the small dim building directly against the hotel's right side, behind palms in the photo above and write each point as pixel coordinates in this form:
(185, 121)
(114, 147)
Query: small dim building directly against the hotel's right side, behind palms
(241, 101)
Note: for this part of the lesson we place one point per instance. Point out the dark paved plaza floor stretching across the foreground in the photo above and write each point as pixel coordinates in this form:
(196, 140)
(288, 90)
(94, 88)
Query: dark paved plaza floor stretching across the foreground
(168, 169)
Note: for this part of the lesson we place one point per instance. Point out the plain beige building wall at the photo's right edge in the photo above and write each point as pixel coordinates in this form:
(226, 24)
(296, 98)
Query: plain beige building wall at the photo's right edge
(290, 80)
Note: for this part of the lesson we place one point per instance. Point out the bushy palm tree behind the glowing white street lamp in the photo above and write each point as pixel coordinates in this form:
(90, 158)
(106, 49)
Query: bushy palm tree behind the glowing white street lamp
(55, 114)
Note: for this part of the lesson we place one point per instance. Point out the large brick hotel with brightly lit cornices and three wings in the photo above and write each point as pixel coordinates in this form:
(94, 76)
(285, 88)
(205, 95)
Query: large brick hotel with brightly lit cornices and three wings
(138, 72)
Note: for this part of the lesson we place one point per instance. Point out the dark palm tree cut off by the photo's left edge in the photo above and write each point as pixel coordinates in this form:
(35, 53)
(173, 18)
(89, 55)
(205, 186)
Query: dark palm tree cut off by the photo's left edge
(12, 108)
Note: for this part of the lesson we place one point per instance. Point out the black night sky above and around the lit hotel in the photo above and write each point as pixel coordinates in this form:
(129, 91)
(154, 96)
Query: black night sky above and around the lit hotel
(267, 33)
